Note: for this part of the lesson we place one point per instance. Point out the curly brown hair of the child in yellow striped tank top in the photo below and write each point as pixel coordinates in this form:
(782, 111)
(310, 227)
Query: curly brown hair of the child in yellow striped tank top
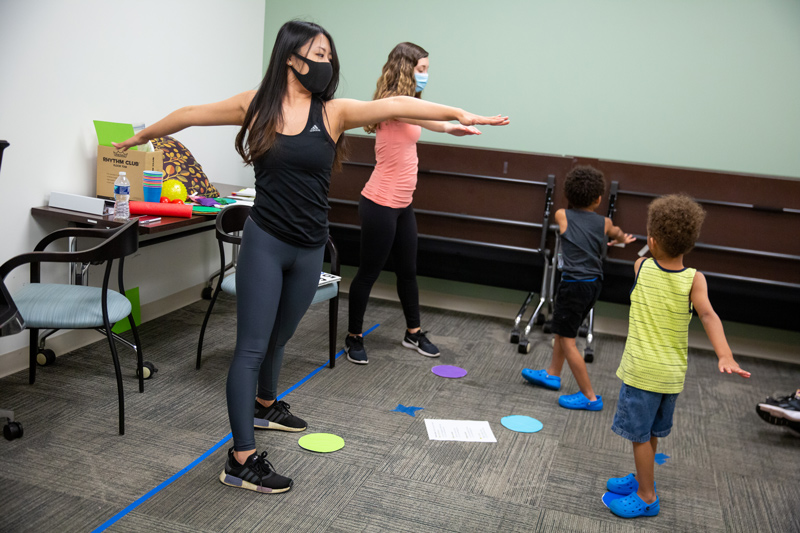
(674, 221)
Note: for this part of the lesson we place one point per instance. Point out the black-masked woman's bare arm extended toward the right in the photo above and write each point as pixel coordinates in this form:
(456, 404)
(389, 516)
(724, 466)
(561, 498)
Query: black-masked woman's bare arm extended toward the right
(348, 114)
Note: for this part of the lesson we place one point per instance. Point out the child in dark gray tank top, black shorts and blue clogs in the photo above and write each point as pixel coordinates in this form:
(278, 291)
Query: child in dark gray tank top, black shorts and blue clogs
(584, 235)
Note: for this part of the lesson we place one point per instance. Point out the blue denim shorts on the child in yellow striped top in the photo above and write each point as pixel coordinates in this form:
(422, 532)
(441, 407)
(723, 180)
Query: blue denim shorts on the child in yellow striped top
(643, 414)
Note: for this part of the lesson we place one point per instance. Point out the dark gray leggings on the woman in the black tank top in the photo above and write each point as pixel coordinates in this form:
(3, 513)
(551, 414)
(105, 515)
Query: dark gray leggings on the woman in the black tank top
(275, 284)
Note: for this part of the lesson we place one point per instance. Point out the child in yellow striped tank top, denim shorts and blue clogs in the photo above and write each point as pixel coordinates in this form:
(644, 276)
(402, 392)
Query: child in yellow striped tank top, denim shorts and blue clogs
(653, 365)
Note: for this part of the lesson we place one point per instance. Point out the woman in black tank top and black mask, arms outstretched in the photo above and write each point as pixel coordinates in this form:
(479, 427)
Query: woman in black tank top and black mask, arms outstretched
(292, 132)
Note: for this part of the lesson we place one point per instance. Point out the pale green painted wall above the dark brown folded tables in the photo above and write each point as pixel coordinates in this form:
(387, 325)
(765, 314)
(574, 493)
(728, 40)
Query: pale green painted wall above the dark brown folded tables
(698, 83)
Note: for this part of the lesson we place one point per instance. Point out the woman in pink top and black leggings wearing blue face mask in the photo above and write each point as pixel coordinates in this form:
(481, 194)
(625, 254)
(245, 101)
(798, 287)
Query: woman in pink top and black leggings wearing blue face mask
(387, 217)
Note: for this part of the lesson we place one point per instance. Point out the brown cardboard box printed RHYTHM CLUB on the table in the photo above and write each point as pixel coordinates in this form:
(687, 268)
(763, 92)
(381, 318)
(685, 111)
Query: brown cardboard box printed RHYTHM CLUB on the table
(110, 162)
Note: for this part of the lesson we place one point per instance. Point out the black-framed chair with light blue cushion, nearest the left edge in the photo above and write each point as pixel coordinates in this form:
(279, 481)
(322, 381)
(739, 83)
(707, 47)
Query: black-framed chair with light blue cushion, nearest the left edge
(54, 306)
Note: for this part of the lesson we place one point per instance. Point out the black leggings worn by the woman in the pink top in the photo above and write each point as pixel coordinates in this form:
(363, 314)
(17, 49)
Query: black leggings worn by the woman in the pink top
(385, 230)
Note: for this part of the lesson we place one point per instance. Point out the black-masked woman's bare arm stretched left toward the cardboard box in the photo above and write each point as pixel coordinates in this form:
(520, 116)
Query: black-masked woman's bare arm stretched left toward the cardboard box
(228, 112)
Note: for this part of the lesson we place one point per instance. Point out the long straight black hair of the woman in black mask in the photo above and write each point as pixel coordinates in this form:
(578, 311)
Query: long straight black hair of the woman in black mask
(264, 117)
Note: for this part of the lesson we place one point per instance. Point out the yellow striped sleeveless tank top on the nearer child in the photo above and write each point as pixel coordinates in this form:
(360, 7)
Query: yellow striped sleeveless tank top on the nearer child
(657, 347)
